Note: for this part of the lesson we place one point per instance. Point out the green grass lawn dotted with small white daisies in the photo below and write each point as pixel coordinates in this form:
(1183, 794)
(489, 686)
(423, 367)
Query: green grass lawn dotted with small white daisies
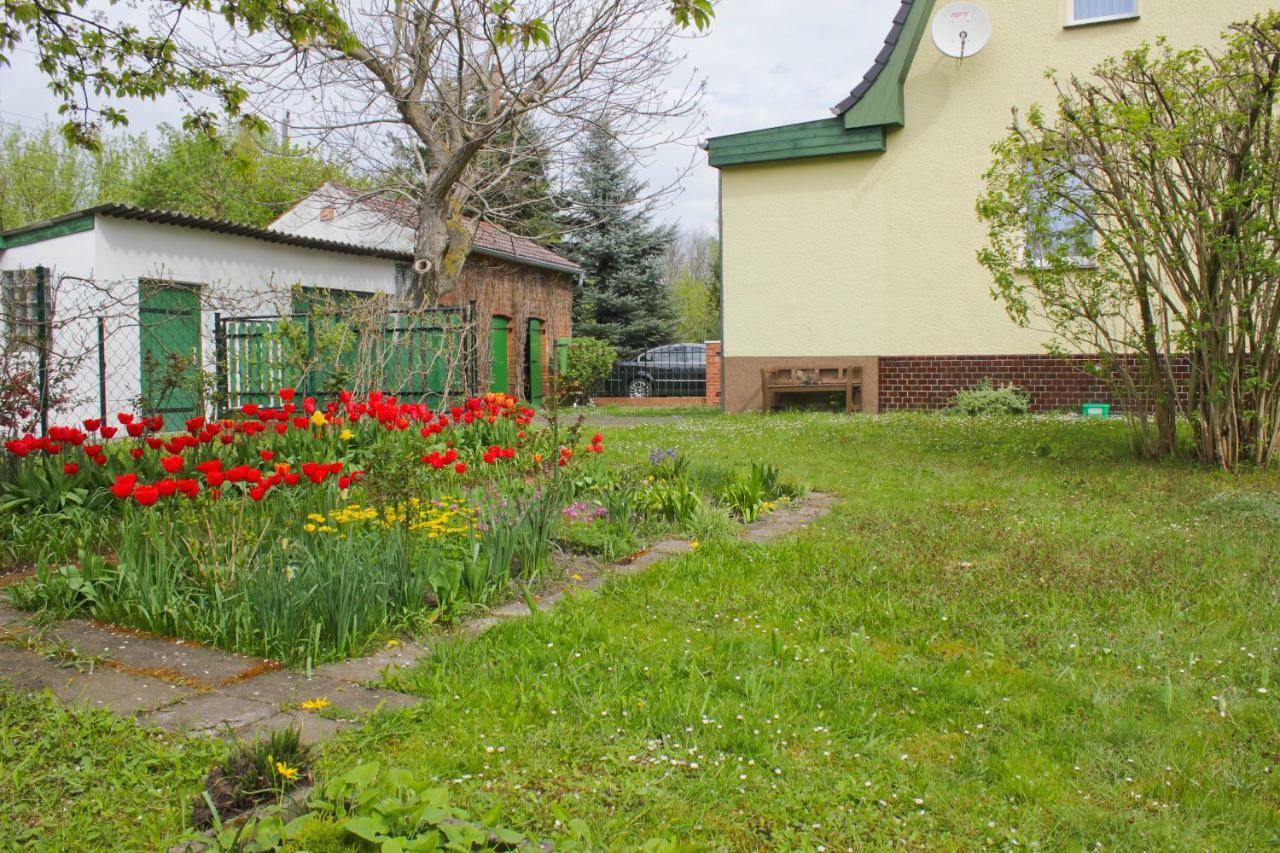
(1007, 633)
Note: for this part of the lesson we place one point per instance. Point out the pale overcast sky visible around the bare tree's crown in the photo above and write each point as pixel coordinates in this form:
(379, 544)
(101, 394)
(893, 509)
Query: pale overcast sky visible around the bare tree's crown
(766, 63)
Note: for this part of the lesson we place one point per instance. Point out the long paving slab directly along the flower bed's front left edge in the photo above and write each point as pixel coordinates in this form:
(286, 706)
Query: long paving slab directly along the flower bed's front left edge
(161, 658)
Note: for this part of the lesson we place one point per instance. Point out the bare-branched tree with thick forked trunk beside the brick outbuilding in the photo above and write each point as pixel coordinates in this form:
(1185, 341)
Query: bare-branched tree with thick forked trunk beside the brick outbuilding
(473, 89)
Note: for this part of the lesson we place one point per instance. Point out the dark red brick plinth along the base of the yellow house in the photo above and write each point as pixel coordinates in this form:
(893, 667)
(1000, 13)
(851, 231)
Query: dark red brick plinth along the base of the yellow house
(1054, 384)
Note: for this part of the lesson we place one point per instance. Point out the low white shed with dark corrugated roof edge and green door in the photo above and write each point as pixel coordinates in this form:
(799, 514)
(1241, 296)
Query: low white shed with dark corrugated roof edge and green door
(111, 276)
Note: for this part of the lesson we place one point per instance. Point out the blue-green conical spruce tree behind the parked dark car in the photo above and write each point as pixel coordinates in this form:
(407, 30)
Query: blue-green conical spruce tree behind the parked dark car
(612, 238)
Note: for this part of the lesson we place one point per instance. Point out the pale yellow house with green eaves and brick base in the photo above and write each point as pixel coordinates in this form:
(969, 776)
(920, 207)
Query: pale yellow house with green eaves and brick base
(852, 241)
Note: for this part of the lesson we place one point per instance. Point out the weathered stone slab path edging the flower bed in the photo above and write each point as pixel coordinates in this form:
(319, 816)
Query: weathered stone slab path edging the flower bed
(184, 687)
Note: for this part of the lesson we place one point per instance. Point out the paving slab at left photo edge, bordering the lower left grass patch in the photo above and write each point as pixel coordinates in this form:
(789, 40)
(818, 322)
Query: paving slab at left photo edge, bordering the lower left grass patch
(103, 688)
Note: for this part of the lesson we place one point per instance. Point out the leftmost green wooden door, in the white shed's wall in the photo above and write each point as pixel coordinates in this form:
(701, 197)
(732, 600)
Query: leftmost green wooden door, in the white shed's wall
(170, 341)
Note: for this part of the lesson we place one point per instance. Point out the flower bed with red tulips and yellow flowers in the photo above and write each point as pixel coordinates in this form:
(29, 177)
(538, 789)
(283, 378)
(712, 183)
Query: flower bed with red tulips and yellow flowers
(309, 532)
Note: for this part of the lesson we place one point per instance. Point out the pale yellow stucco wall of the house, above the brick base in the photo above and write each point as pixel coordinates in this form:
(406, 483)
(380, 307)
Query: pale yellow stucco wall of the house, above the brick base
(876, 254)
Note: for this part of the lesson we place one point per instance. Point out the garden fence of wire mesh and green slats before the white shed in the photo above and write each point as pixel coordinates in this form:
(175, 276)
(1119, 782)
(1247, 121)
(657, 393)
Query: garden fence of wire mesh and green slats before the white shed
(68, 355)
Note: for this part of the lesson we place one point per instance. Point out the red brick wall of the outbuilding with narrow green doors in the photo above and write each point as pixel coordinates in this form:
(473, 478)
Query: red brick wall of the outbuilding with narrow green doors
(518, 293)
